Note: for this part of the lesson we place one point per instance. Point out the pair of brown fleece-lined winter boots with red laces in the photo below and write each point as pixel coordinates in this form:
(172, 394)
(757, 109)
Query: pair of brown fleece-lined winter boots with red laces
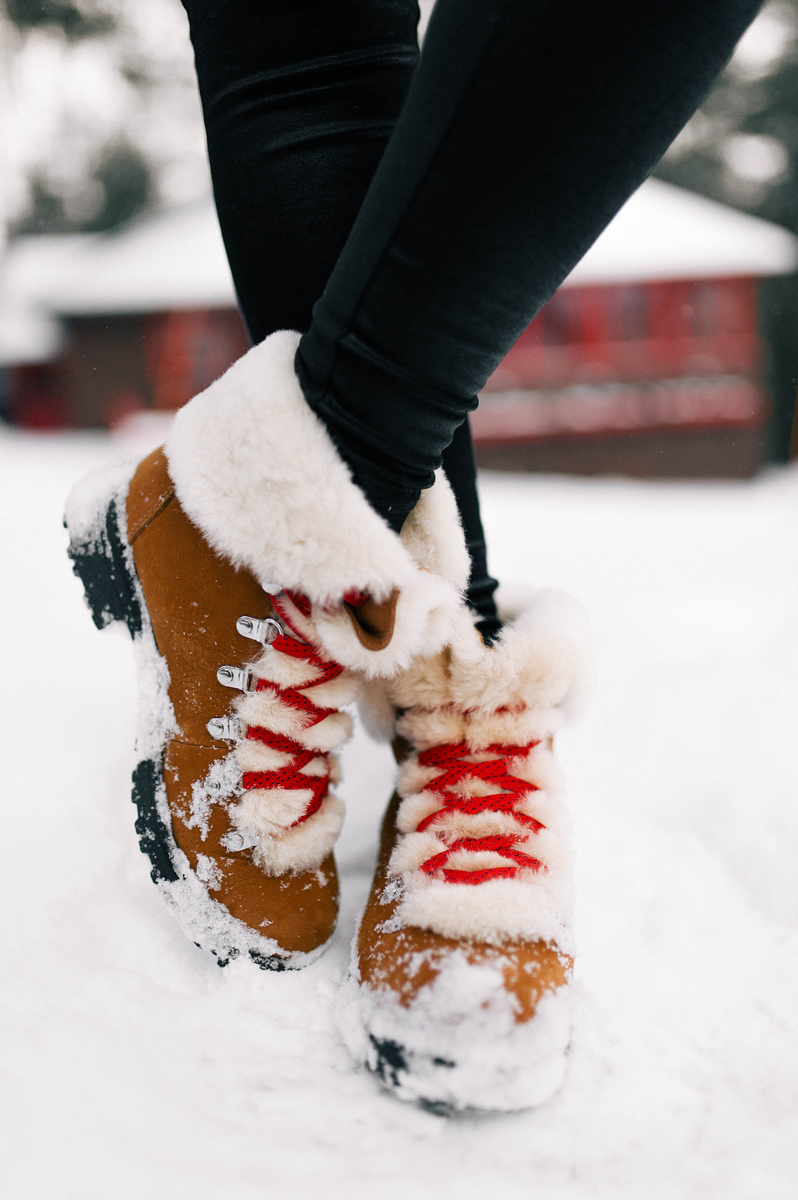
(265, 596)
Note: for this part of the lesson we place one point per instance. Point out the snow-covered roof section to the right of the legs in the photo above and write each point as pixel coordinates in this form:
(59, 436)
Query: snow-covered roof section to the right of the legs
(668, 233)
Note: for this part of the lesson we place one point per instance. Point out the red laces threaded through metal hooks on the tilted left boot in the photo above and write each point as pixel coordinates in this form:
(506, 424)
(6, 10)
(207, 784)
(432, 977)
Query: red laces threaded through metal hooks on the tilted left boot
(291, 777)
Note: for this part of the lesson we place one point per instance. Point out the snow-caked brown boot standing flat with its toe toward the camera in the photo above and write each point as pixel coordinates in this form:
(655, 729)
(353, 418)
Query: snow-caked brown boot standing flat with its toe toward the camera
(459, 992)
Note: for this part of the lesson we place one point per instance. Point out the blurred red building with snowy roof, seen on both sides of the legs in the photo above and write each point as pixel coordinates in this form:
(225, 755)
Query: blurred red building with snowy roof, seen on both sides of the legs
(649, 361)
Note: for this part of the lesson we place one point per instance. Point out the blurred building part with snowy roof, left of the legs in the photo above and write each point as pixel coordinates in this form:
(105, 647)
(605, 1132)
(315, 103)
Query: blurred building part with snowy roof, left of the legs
(97, 328)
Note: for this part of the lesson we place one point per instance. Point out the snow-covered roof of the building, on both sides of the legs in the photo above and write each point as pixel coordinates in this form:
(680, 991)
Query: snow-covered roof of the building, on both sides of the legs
(176, 260)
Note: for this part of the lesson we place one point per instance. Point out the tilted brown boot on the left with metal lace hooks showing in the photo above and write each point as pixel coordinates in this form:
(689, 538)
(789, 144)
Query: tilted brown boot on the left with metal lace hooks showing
(260, 589)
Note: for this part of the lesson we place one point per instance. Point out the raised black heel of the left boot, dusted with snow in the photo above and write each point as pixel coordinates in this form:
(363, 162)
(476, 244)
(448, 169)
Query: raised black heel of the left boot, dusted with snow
(103, 562)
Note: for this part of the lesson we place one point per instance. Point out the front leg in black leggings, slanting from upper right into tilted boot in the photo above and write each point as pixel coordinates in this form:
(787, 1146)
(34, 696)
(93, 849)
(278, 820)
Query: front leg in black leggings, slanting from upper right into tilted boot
(527, 127)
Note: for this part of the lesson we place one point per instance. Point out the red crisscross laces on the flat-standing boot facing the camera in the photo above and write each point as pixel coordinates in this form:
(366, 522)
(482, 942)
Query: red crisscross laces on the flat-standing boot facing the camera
(451, 759)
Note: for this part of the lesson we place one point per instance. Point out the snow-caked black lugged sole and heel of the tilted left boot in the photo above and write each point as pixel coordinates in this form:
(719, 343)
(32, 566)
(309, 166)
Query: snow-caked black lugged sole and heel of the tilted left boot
(104, 562)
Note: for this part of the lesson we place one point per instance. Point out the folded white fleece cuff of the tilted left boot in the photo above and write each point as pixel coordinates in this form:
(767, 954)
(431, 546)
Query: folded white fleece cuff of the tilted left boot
(256, 470)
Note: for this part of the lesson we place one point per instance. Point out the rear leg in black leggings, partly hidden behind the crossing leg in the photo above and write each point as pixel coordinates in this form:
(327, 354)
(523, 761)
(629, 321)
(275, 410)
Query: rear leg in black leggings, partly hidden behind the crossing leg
(299, 100)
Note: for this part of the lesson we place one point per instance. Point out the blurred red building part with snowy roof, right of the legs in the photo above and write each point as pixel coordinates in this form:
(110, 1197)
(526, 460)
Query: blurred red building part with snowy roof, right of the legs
(650, 361)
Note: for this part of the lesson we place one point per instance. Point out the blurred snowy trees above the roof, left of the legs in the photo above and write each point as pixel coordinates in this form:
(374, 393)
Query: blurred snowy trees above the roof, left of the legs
(101, 113)
